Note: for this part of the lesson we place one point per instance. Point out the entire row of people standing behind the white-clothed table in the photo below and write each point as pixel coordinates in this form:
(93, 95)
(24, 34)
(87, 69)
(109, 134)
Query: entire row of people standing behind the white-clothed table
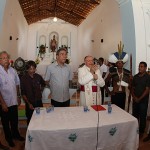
(91, 78)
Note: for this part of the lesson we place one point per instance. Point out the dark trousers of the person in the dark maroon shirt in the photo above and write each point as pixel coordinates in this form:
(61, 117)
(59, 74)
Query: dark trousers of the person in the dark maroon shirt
(29, 111)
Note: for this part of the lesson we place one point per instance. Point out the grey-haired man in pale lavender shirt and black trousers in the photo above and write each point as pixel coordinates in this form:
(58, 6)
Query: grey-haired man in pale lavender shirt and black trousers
(9, 99)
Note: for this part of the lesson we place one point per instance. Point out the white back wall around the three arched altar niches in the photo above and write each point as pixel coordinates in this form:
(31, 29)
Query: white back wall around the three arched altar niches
(65, 29)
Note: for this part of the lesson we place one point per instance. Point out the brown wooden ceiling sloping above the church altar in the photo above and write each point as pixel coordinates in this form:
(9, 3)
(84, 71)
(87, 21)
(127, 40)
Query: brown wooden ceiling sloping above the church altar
(72, 11)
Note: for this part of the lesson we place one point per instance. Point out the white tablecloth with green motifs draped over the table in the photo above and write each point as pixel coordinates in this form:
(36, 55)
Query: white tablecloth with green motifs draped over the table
(53, 131)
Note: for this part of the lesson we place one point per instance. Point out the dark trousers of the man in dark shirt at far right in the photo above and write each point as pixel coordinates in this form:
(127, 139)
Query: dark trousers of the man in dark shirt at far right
(139, 111)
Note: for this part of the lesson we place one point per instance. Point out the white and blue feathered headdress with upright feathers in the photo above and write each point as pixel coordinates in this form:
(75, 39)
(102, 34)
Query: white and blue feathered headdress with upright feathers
(119, 56)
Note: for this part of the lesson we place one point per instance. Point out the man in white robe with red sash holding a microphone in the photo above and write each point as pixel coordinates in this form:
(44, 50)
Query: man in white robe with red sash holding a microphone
(90, 79)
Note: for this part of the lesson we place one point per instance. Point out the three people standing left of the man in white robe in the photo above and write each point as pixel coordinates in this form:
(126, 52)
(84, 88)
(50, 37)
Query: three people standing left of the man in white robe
(58, 76)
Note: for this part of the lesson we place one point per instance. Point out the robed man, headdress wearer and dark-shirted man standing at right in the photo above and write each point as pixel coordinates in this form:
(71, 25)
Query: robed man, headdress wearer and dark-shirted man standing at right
(92, 79)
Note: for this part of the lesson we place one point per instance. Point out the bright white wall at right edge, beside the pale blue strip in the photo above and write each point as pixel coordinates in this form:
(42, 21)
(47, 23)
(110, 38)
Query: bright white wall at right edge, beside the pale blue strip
(141, 10)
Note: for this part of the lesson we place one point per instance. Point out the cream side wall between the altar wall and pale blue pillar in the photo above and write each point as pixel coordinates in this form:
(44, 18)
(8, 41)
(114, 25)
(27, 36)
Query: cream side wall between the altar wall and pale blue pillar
(103, 23)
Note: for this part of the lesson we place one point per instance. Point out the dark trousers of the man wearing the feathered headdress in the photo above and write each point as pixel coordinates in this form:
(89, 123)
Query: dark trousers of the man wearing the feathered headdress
(119, 99)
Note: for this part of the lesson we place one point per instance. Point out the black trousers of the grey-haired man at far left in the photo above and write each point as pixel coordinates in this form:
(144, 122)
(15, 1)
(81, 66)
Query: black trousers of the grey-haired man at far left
(10, 122)
